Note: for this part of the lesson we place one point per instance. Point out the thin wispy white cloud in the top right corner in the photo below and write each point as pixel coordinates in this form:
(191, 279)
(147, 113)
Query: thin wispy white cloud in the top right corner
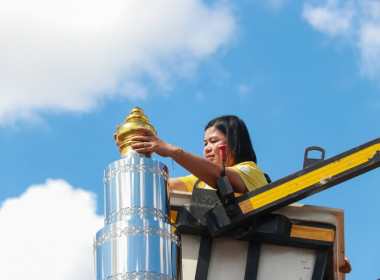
(355, 22)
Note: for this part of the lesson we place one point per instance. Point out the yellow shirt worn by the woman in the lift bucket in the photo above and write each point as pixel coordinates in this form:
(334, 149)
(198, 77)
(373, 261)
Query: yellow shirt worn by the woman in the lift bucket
(248, 171)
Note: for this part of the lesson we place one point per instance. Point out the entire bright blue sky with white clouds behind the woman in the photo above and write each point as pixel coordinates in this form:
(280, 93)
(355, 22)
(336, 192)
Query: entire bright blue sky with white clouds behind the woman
(299, 73)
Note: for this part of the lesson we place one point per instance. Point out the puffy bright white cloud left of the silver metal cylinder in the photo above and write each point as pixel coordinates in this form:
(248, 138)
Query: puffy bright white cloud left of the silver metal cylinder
(47, 233)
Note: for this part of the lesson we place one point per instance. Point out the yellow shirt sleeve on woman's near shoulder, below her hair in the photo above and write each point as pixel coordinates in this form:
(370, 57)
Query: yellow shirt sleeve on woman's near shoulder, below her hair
(251, 175)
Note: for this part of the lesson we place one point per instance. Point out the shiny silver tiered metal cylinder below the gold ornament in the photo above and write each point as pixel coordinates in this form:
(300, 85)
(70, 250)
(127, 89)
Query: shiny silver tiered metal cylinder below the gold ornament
(137, 241)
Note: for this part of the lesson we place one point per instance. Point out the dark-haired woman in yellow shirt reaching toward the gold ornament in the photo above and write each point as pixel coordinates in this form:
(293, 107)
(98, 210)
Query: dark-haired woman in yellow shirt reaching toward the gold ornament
(241, 168)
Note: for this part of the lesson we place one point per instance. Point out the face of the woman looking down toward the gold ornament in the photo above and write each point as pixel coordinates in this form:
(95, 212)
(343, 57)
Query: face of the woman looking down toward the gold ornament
(213, 138)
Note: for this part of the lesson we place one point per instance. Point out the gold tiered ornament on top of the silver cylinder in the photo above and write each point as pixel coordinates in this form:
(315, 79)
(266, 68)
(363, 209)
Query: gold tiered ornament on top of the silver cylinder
(128, 129)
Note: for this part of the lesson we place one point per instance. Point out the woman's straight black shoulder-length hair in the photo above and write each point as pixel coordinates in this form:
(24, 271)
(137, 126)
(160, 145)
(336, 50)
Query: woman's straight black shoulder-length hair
(238, 139)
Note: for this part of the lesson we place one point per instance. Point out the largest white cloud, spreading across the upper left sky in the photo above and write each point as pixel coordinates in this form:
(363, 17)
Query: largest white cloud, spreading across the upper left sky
(66, 56)
